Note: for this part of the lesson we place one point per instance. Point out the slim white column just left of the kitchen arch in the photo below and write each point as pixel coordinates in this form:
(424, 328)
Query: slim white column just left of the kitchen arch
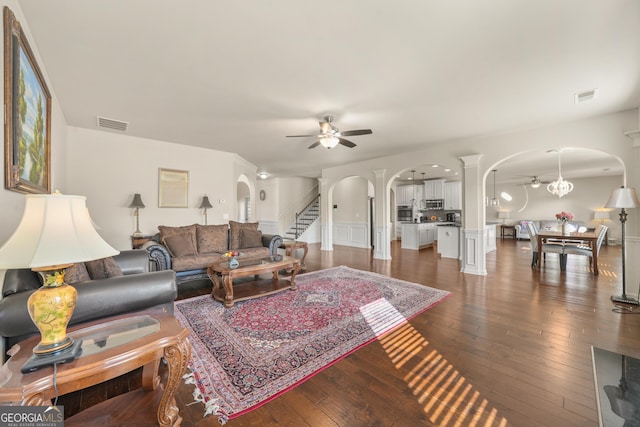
(382, 234)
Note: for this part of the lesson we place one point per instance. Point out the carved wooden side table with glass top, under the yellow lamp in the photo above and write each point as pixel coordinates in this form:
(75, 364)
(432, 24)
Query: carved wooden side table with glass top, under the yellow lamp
(110, 347)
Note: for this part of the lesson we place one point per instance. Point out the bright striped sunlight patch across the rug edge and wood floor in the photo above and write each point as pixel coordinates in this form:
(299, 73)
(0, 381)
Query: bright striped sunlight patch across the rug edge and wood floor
(448, 398)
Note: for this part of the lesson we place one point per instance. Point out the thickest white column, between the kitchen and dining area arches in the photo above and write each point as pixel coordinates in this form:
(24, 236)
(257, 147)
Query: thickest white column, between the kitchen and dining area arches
(474, 238)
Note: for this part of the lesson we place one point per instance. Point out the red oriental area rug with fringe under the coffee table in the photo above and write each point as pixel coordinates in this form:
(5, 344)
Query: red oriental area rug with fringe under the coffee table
(245, 356)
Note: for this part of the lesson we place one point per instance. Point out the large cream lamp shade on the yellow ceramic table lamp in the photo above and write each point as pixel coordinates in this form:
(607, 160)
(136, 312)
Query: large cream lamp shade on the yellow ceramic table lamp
(55, 229)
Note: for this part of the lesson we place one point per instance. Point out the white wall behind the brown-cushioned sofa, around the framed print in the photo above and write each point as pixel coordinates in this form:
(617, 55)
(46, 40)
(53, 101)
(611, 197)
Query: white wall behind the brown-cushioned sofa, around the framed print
(108, 168)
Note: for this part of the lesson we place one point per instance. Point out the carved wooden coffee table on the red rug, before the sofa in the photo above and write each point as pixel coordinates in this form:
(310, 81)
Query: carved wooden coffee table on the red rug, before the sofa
(222, 277)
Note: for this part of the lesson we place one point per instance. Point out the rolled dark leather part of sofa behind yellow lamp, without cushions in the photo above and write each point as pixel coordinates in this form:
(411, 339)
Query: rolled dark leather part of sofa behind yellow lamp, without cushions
(96, 299)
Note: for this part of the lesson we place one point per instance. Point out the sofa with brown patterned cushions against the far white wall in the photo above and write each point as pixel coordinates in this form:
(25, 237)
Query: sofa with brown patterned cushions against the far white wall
(189, 250)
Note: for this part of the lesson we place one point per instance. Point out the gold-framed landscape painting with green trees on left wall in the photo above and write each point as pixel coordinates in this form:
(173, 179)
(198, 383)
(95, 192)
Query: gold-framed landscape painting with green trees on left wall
(27, 104)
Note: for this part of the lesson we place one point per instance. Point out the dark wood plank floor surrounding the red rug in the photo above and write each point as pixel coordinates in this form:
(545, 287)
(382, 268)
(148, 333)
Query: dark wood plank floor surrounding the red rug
(509, 348)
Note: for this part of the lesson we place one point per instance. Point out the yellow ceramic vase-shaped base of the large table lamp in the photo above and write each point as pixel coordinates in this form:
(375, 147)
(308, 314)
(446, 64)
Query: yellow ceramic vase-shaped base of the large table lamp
(50, 308)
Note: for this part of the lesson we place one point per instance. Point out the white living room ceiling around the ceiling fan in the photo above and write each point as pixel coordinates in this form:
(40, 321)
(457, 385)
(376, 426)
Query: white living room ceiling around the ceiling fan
(240, 75)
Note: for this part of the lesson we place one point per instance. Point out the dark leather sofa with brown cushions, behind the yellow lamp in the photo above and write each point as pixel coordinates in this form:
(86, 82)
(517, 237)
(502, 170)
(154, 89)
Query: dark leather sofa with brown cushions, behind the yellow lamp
(137, 289)
